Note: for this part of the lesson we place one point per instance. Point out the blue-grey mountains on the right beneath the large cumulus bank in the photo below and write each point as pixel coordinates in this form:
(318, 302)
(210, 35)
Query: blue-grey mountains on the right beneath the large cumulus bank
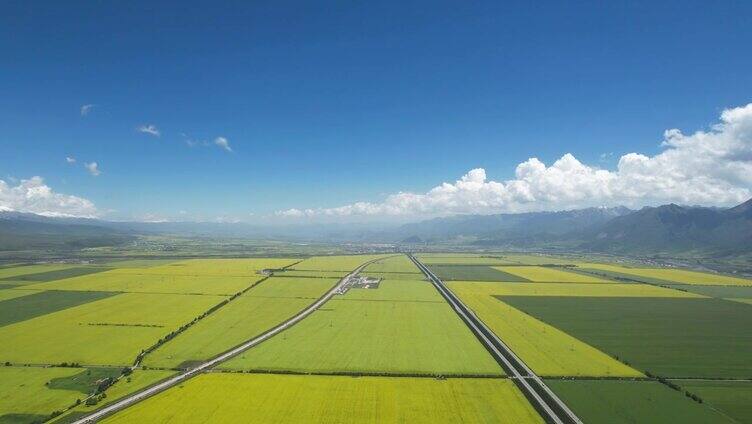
(650, 230)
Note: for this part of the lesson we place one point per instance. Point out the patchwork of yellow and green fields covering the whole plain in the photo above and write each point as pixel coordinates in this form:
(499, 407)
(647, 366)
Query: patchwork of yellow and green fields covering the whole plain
(390, 349)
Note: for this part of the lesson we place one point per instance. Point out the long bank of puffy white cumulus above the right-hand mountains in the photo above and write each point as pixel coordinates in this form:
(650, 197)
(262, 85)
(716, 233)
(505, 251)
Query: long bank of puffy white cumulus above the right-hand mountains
(712, 167)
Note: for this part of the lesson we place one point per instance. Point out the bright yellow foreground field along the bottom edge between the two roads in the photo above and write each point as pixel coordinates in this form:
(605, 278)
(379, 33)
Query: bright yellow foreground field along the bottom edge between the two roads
(305, 399)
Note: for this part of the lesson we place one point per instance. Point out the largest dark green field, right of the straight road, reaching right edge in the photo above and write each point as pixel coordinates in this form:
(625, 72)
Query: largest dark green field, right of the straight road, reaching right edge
(673, 337)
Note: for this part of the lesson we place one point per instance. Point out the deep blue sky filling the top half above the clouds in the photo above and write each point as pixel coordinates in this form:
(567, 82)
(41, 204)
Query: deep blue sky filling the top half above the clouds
(328, 104)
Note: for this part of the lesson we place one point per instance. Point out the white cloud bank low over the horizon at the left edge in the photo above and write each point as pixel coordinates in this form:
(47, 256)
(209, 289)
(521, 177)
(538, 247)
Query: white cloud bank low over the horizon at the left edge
(34, 196)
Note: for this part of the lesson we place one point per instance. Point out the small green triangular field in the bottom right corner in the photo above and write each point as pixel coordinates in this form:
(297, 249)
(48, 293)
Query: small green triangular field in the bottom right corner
(733, 398)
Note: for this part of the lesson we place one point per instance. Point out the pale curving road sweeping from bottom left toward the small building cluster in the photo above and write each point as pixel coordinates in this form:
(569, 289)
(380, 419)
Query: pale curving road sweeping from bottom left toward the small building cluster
(173, 381)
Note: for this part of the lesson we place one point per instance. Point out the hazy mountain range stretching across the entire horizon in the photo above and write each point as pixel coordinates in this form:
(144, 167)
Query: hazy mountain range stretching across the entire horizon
(650, 230)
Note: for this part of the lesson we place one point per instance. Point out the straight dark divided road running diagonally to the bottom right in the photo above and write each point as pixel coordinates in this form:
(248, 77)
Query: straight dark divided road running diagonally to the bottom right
(551, 408)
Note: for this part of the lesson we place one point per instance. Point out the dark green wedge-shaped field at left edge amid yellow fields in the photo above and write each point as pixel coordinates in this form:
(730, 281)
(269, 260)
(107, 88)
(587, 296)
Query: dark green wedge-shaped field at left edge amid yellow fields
(44, 302)
